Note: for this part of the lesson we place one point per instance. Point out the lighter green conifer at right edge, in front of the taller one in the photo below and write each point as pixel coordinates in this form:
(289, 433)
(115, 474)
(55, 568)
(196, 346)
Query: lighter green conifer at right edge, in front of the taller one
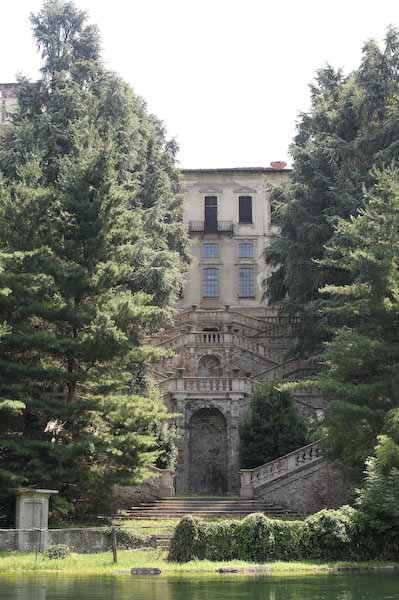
(361, 375)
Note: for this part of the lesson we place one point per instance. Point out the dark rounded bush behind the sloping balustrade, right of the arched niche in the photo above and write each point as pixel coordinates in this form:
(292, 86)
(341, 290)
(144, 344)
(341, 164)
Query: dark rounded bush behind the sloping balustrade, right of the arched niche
(272, 428)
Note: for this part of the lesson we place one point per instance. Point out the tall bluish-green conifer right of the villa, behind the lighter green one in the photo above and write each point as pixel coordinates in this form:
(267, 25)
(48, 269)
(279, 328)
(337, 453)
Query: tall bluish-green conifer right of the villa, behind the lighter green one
(352, 126)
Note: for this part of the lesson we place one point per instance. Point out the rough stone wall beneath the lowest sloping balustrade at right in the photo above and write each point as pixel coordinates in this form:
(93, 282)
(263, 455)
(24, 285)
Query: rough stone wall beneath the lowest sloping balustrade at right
(308, 490)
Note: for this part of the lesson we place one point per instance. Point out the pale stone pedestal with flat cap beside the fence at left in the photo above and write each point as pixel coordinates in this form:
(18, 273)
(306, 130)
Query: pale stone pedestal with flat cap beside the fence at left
(32, 518)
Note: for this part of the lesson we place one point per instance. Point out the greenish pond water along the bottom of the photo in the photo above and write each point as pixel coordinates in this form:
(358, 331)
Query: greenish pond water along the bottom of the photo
(327, 587)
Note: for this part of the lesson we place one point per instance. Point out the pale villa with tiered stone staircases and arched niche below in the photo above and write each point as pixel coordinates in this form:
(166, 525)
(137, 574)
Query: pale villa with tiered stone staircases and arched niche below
(226, 339)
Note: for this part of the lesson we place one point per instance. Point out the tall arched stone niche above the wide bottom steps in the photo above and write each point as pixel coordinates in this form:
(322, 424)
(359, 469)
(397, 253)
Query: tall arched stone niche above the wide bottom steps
(208, 452)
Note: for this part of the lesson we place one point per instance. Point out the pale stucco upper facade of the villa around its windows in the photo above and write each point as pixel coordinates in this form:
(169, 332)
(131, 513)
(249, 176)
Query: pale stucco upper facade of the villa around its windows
(227, 186)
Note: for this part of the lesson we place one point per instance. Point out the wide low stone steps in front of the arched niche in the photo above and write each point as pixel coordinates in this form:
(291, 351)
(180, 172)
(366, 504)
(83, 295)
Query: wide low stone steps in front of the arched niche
(211, 508)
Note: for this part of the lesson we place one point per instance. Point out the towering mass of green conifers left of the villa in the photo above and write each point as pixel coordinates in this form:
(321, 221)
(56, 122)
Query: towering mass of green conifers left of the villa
(94, 246)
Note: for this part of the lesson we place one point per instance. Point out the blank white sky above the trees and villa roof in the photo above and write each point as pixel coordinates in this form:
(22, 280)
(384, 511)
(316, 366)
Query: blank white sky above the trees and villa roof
(227, 77)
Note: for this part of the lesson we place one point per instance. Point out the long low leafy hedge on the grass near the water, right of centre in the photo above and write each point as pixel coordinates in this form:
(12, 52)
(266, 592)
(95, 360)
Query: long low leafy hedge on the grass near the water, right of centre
(326, 535)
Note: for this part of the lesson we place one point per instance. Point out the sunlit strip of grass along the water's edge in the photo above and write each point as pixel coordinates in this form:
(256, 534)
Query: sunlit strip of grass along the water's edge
(101, 564)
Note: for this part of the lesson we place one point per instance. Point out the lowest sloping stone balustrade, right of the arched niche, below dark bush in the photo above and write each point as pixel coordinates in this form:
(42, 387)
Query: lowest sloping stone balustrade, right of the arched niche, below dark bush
(251, 479)
